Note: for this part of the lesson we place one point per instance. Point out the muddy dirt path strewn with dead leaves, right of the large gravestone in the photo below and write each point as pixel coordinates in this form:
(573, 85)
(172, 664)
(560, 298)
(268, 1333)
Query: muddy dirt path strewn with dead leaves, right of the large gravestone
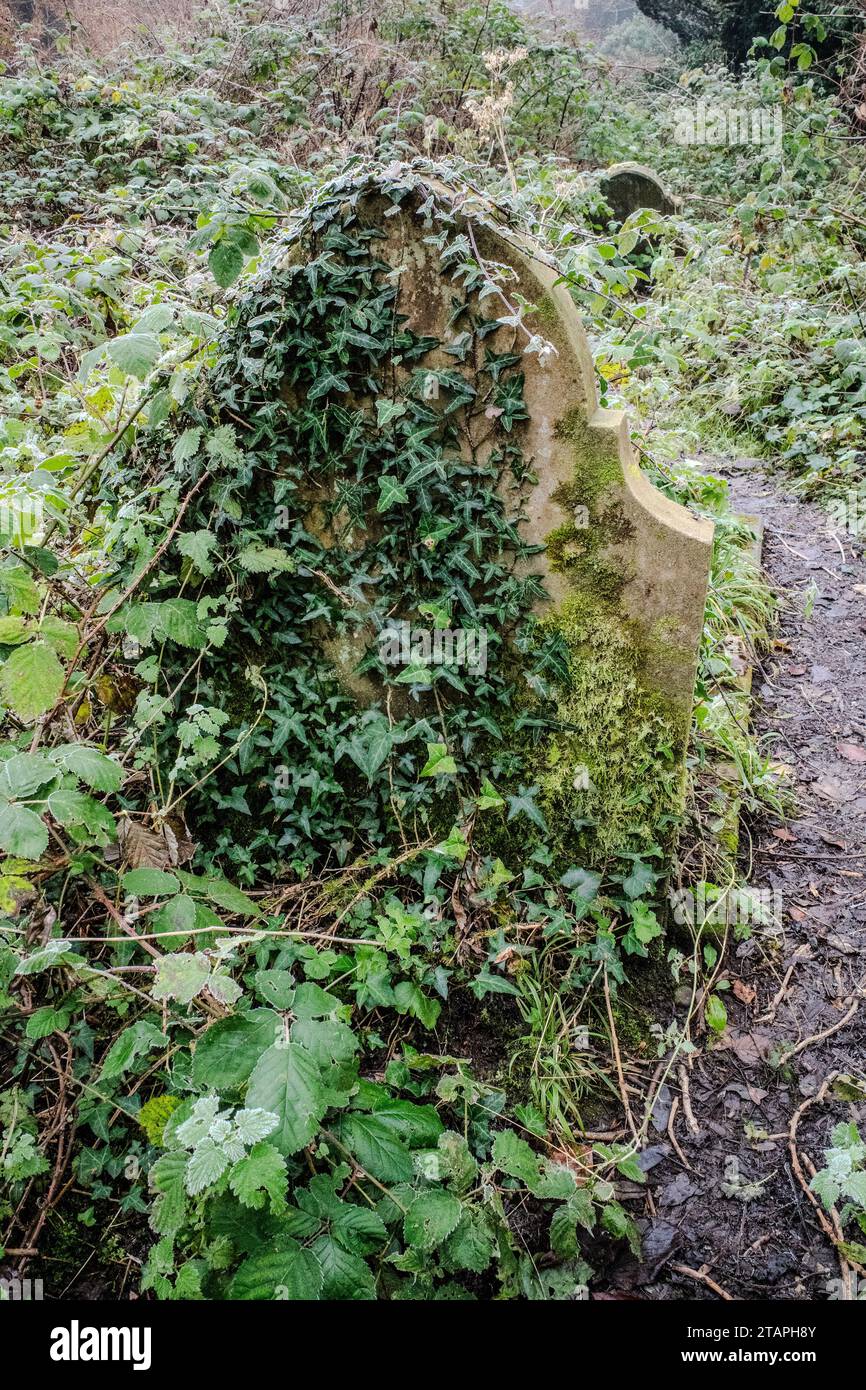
(739, 1216)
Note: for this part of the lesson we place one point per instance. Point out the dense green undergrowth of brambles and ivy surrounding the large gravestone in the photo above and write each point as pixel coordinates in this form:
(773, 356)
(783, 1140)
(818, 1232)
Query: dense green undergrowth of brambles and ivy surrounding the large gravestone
(286, 1033)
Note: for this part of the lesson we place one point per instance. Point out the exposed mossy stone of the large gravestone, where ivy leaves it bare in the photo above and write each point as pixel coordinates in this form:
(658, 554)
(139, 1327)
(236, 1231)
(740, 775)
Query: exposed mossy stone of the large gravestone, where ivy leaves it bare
(625, 569)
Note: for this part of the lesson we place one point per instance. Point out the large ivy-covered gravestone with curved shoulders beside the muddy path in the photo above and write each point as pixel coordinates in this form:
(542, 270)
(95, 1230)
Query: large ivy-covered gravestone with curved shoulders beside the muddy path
(473, 553)
